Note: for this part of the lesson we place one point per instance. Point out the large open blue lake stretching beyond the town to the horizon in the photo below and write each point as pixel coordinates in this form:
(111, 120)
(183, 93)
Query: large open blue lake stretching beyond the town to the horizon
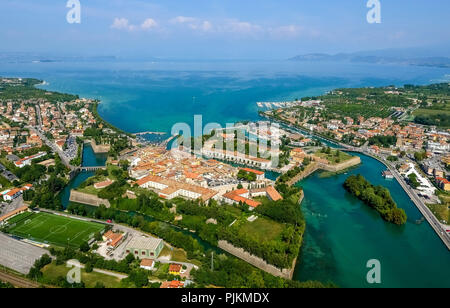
(143, 96)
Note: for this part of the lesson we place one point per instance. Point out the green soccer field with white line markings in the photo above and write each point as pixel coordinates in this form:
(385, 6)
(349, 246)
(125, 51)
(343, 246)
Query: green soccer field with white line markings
(53, 229)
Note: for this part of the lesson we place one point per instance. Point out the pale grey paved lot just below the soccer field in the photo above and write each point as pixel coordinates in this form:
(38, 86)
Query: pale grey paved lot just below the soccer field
(18, 255)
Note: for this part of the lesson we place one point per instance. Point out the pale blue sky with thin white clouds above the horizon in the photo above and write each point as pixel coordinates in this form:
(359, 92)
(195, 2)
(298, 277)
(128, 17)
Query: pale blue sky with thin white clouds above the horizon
(220, 28)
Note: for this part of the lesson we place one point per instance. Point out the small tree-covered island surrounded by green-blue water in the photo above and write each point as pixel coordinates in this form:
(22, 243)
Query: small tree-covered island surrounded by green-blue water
(377, 197)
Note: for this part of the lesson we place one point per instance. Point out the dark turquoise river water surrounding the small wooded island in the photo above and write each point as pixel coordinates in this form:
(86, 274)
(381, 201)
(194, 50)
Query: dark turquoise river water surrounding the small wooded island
(342, 234)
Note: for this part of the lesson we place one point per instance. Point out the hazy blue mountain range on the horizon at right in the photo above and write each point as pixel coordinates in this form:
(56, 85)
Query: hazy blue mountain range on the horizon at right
(433, 61)
